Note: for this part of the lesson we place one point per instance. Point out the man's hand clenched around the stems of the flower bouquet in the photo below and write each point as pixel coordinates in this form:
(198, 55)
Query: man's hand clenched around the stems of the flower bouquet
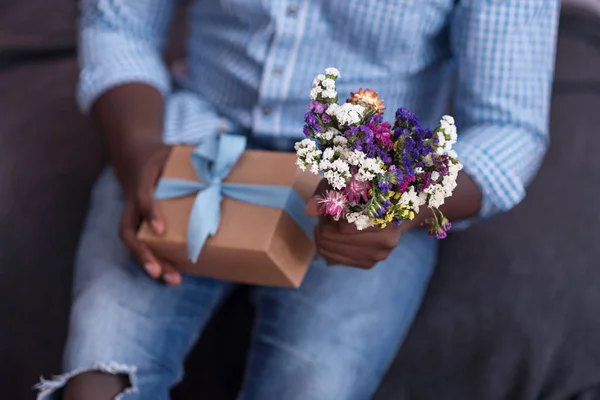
(341, 243)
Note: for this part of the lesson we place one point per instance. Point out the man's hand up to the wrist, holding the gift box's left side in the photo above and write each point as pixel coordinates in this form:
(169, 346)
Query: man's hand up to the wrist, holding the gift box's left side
(139, 181)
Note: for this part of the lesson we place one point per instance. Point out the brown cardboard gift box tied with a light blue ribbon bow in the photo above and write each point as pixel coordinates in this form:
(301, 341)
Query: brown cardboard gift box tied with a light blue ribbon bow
(235, 214)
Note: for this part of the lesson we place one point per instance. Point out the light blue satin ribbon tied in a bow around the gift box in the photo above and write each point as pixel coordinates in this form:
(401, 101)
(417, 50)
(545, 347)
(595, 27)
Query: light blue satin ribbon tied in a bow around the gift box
(213, 160)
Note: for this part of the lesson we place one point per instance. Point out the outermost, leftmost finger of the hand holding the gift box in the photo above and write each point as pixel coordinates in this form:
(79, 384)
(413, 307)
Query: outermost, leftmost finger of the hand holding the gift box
(128, 232)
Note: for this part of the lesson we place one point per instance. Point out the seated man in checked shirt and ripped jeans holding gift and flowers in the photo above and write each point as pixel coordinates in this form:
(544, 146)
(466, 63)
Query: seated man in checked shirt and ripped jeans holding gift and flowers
(250, 68)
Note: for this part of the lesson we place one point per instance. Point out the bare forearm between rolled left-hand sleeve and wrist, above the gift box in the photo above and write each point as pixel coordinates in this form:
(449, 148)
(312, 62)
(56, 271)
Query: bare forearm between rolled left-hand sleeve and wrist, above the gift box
(131, 119)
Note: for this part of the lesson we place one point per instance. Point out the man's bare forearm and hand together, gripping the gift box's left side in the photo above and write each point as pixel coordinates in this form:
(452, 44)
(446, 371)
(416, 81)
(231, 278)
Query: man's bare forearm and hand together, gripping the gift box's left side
(131, 118)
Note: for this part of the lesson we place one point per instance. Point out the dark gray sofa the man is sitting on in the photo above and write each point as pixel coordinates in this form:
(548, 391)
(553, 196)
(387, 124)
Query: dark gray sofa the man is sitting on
(512, 312)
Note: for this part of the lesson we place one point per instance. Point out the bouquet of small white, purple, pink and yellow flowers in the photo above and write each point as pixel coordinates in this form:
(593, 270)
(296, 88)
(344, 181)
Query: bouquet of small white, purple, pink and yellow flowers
(378, 173)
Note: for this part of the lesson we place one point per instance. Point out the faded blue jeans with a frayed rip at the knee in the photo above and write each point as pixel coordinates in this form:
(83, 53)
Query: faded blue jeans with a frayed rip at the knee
(334, 338)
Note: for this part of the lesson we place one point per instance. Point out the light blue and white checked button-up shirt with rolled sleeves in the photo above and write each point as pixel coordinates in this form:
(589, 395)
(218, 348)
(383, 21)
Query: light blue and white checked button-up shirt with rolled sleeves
(252, 62)
